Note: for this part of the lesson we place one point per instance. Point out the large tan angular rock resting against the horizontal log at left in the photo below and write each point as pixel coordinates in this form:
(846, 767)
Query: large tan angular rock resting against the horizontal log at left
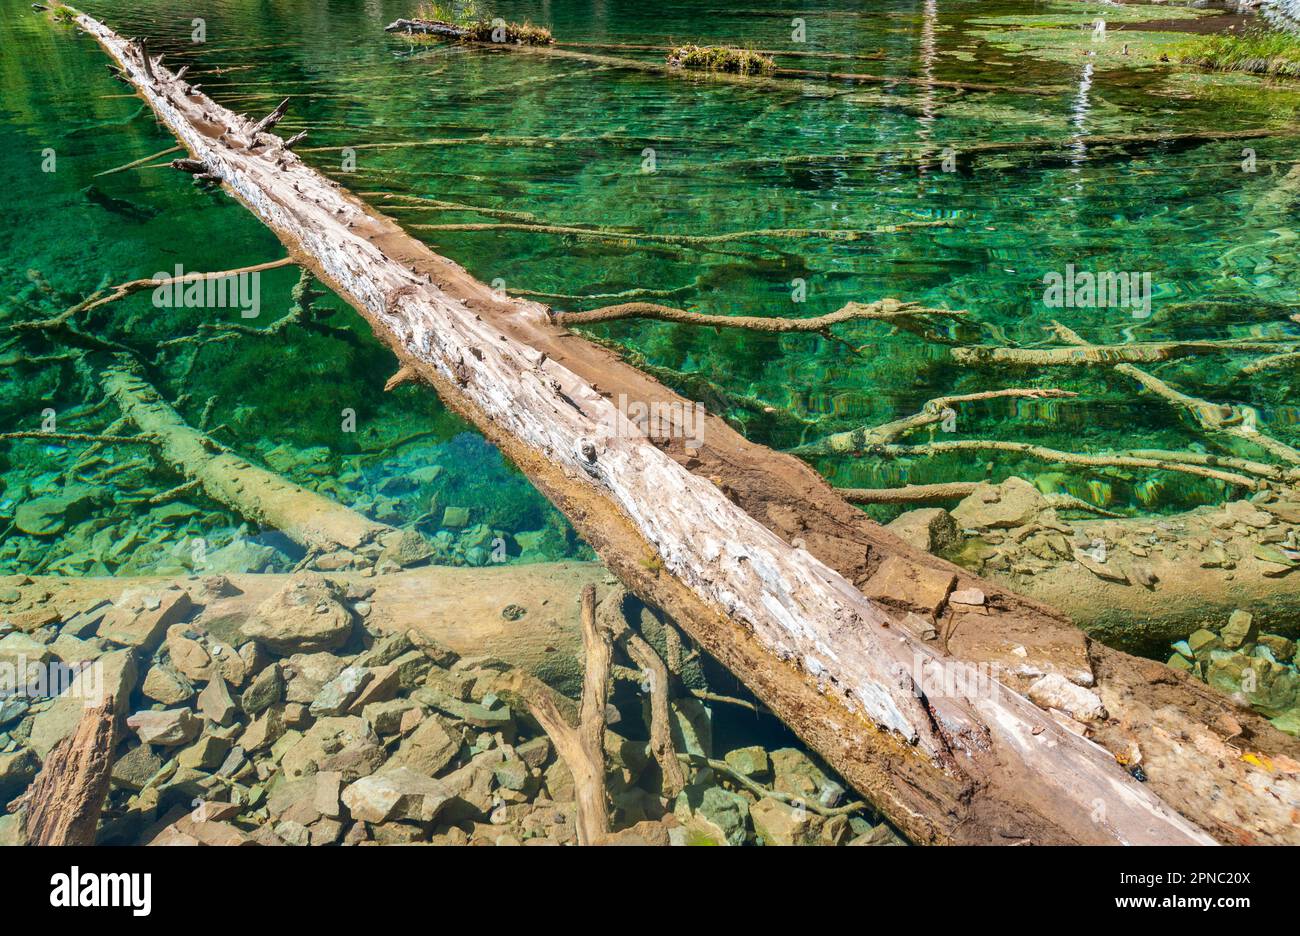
(306, 617)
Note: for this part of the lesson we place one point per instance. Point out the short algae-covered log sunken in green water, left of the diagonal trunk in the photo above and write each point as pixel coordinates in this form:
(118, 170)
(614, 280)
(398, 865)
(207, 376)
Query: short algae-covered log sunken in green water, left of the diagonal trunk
(309, 519)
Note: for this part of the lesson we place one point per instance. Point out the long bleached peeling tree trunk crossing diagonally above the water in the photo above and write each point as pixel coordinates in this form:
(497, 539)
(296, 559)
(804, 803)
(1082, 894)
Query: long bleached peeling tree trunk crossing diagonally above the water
(777, 604)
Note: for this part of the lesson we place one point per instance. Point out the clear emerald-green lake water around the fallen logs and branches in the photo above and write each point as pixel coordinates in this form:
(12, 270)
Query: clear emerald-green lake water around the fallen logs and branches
(567, 146)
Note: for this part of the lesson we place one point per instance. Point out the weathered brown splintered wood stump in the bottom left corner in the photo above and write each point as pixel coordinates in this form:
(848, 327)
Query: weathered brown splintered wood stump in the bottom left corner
(67, 798)
